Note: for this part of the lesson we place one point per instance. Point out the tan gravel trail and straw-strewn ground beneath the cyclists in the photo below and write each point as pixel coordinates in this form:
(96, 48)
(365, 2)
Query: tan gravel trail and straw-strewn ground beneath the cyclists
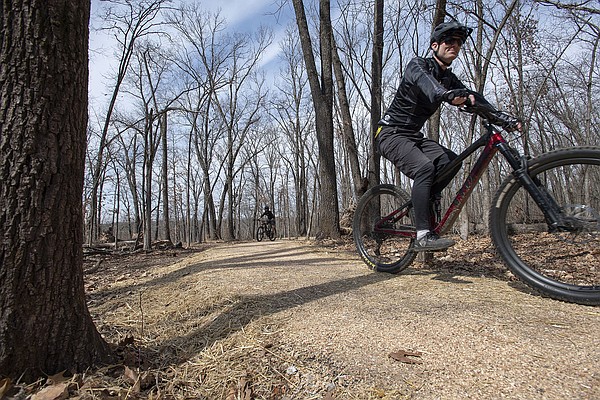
(293, 319)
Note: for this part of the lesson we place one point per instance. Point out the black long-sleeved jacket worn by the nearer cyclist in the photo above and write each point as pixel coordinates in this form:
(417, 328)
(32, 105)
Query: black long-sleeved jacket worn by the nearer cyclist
(420, 94)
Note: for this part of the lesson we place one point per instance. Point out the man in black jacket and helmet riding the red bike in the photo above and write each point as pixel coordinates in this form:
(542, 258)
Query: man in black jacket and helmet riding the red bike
(427, 83)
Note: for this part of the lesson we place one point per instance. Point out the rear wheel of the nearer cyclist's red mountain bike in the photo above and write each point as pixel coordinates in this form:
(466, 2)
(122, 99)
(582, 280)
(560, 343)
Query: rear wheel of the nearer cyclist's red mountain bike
(383, 229)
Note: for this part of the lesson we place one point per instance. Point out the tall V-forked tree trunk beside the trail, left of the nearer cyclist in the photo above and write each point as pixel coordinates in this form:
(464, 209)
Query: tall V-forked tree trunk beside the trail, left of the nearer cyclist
(322, 95)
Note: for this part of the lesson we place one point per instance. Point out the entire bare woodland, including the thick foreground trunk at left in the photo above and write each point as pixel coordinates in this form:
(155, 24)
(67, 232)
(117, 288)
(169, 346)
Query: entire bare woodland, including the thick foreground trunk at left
(195, 132)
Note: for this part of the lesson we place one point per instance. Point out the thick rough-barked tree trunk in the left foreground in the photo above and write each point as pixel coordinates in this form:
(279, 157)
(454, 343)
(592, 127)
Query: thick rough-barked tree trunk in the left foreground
(45, 326)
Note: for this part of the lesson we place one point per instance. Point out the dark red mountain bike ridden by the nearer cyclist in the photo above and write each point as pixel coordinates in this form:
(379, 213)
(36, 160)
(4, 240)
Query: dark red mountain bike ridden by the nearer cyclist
(544, 218)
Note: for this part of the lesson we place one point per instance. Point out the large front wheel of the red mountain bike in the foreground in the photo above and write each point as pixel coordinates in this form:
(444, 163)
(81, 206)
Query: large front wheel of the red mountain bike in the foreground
(563, 263)
